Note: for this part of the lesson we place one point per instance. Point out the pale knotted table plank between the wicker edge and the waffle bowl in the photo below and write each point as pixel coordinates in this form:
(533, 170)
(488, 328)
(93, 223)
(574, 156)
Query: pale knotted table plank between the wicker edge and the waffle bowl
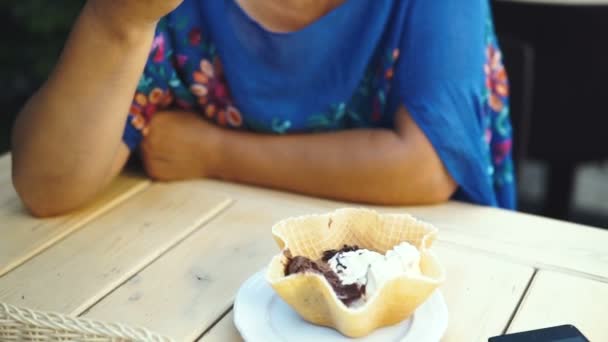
(185, 291)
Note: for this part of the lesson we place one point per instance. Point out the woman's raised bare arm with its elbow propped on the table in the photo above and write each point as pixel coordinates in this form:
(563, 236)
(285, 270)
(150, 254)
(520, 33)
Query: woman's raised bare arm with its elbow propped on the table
(67, 139)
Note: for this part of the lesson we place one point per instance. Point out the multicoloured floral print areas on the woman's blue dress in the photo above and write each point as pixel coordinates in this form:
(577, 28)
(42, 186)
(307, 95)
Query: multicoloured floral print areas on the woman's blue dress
(191, 77)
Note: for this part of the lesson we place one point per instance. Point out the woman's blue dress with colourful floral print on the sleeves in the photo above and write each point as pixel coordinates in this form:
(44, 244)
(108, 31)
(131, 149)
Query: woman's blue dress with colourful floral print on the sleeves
(352, 68)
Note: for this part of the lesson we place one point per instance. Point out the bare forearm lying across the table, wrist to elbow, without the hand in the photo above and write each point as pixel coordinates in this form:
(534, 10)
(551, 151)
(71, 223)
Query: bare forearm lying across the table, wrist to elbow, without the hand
(372, 166)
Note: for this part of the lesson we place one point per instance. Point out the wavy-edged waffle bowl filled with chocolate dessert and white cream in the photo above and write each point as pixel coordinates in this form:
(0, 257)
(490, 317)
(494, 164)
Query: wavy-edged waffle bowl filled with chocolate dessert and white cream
(337, 292)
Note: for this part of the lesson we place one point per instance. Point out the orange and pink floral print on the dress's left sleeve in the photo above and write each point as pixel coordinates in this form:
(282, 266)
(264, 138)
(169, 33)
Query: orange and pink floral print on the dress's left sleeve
(161, 86)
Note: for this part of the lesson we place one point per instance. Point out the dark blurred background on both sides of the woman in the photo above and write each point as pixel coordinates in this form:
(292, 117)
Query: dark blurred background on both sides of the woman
(556, 53)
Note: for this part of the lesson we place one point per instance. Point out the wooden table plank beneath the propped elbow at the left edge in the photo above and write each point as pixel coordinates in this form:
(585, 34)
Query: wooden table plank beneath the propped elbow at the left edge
(23, 236)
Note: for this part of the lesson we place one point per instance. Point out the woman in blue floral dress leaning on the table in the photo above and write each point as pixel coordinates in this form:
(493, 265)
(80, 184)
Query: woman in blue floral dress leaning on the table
(386, 102)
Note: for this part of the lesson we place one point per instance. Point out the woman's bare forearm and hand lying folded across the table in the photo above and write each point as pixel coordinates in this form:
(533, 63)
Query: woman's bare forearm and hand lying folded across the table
(374, 165)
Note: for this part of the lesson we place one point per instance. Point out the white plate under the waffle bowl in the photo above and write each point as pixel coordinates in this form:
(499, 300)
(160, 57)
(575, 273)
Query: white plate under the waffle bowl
(262, 316)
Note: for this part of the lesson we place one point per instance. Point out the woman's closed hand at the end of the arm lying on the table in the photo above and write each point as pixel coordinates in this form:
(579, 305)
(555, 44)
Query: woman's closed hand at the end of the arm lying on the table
(180, 145)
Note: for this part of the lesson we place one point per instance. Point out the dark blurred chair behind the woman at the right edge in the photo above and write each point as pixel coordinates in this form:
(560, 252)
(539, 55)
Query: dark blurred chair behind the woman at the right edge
(569, 122)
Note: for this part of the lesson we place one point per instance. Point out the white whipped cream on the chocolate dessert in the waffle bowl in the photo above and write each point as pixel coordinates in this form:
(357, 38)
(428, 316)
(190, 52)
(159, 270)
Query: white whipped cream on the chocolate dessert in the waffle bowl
(373, 269)
